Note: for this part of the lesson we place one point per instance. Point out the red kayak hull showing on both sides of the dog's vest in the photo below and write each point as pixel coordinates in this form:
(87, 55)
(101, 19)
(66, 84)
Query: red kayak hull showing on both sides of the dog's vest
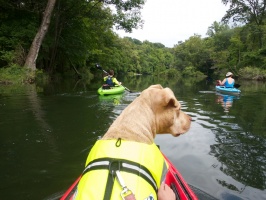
(173, 179)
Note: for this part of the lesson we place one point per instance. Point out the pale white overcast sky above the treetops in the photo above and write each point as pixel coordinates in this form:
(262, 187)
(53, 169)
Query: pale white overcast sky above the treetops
(170, 21)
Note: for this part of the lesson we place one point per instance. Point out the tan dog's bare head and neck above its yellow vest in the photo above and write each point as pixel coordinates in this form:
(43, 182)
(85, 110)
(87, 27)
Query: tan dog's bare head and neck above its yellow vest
(155, 111)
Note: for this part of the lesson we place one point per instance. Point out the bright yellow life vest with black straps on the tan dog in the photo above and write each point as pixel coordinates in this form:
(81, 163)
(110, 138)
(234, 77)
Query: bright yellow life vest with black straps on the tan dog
(142, 174)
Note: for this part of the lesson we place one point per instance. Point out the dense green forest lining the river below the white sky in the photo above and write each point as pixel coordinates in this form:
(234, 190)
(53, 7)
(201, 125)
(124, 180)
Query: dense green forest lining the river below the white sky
(67, 38)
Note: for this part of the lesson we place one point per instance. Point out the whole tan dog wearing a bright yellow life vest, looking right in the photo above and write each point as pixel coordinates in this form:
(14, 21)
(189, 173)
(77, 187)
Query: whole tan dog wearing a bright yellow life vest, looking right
(126, 162)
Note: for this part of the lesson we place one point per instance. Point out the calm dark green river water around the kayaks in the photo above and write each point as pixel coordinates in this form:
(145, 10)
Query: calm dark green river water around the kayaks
(46, 133)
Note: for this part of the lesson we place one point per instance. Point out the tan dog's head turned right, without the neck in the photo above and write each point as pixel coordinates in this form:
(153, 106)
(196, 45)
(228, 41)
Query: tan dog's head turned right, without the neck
(169, 118)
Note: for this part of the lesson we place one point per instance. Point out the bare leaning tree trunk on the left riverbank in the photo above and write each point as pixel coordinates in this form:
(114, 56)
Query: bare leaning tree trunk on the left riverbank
(36, 43)
